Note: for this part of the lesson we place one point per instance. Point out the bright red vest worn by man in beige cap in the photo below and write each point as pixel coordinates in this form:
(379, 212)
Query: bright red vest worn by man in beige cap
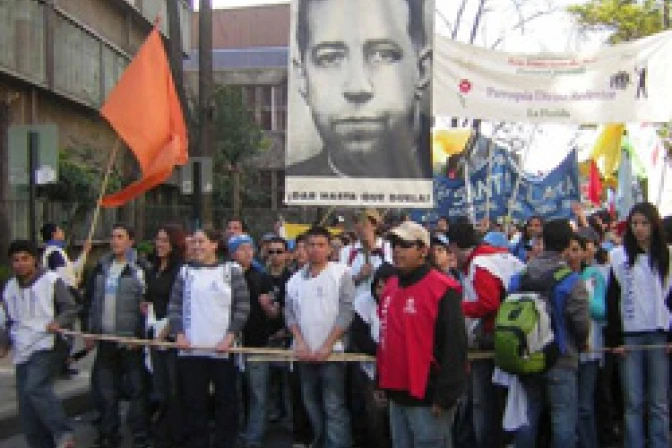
(407, 323)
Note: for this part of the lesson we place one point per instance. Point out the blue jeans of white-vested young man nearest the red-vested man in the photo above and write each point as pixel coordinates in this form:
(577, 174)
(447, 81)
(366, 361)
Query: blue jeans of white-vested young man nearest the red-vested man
(323, 390)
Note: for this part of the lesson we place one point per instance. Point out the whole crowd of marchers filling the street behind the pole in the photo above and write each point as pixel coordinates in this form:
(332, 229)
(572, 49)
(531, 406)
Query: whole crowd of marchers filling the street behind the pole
(426, 302)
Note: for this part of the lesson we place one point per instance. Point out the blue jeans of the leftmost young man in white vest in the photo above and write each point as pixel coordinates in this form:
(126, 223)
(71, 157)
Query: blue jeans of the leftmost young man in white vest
(41, 414)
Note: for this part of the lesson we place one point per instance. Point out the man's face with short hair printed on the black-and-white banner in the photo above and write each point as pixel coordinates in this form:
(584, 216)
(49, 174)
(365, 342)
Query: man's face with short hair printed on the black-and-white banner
(360, 74)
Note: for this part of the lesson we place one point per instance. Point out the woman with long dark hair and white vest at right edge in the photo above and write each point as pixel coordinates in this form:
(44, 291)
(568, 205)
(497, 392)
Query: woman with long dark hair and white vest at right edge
(638, 316)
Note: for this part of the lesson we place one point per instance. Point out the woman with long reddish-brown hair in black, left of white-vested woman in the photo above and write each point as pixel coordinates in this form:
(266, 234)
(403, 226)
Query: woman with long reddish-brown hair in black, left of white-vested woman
(167, 259)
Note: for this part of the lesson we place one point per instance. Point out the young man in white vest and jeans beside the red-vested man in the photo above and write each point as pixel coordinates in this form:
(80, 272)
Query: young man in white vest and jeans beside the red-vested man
(318, 312)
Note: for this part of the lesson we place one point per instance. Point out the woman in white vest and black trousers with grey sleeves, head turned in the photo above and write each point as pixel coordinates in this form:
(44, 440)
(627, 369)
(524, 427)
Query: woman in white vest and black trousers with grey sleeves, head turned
(209, 306)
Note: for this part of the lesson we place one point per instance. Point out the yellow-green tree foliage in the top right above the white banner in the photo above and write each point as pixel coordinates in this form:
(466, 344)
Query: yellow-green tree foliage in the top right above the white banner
(625, 20)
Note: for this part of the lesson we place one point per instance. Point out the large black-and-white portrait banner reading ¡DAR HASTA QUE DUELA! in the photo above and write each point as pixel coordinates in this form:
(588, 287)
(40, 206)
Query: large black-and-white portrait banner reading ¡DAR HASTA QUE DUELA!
(359, 104)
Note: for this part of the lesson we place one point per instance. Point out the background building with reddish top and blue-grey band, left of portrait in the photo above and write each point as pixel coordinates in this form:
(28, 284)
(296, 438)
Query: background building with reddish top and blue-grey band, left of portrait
(251, 51)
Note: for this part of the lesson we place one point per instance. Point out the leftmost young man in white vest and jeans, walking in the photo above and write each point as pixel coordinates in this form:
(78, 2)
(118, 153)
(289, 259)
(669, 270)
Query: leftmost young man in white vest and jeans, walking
(36, 304)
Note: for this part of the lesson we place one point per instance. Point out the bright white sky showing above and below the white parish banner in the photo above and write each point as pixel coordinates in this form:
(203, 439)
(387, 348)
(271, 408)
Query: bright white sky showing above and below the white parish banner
(552, 31)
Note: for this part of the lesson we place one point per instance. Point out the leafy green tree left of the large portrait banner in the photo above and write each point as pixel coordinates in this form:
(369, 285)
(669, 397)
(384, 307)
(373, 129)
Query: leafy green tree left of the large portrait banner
(237, 139)
